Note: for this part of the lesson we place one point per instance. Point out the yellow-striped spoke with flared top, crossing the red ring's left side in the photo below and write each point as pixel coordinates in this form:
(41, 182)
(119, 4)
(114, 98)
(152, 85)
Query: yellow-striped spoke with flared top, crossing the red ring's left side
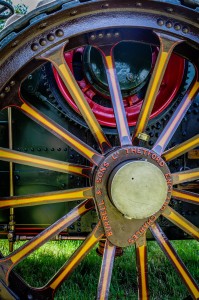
(56, 57)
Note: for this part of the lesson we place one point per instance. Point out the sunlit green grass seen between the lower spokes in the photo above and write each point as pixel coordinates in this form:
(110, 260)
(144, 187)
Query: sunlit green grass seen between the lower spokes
(165, 284)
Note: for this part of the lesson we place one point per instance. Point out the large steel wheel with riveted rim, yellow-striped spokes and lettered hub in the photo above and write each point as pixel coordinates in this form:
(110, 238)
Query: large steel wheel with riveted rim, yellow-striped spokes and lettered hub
(125, 171)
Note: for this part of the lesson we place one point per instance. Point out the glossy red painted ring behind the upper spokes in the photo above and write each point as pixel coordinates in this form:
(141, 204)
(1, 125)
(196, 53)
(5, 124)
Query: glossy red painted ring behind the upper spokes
(168, 90)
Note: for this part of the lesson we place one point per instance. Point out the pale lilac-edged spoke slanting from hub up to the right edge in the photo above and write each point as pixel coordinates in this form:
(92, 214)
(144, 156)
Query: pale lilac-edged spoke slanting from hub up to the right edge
(176, 118)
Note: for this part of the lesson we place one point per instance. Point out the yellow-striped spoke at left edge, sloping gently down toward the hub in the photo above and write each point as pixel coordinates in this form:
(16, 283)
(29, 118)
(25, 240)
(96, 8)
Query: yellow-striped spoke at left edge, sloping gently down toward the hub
(42, 162)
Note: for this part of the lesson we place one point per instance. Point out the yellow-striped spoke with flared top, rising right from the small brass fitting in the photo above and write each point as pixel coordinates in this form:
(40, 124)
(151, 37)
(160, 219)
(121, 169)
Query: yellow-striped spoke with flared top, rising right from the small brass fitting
(167, 44)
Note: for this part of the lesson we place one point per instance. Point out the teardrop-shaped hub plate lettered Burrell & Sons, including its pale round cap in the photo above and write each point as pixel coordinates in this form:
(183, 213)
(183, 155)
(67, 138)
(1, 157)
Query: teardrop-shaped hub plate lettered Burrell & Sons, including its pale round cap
(120, 230)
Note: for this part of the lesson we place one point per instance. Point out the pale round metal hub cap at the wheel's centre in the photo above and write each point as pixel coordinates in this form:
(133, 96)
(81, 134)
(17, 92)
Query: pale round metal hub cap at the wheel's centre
(138, 189)
